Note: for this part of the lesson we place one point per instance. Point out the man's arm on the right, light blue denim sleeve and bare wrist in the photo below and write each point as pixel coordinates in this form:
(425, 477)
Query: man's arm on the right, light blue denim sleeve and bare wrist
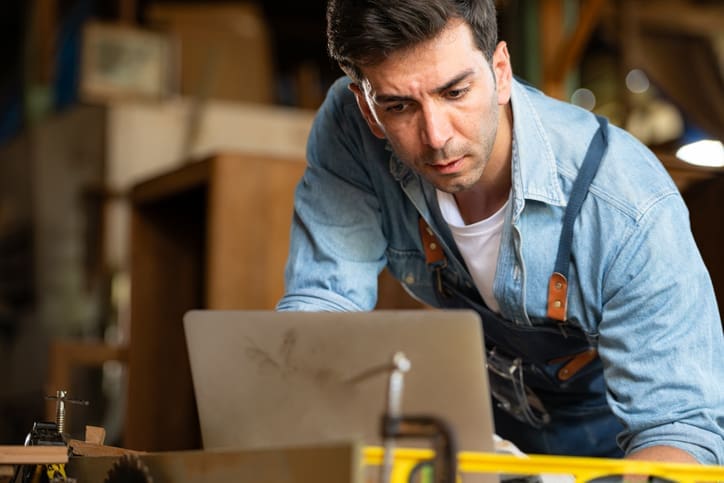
(661, 342)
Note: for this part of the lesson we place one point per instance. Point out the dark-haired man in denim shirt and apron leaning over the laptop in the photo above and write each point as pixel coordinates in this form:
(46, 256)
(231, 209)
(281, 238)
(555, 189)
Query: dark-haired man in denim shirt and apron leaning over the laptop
(564, 233)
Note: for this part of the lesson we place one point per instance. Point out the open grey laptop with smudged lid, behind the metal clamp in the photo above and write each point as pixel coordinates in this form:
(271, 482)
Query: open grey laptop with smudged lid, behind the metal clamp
(266, 379)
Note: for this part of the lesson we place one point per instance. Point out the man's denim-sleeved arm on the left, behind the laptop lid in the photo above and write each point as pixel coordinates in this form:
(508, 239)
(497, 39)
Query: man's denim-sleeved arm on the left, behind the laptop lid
(337, 248)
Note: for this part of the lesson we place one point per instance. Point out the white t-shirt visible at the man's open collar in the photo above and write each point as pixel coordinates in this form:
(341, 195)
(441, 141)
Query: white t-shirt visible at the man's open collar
(479, 244)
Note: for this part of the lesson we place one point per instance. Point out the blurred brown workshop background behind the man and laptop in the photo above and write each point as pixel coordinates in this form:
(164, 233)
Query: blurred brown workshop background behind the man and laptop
(143, 141)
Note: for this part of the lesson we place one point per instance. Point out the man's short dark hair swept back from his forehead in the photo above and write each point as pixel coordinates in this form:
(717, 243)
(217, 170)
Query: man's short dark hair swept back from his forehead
(365, 32)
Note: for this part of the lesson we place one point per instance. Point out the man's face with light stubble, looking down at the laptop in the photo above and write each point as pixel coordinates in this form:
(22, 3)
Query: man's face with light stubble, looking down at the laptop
(438, 105)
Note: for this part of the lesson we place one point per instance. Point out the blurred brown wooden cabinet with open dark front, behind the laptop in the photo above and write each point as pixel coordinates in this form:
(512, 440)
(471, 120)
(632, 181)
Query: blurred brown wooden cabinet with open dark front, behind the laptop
(211, 234)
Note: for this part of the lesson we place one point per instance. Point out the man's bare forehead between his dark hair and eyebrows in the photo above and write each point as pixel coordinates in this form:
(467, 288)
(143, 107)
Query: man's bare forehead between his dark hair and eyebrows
(426, 65)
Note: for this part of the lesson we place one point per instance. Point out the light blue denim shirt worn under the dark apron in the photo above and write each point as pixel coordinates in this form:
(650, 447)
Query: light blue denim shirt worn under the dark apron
(638, 287)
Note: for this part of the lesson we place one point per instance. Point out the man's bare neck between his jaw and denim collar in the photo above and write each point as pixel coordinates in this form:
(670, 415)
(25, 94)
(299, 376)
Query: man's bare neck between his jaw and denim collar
(492, 189)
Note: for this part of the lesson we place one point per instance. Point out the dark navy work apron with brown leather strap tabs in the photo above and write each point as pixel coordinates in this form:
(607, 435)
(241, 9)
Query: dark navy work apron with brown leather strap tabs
(546, 380)
